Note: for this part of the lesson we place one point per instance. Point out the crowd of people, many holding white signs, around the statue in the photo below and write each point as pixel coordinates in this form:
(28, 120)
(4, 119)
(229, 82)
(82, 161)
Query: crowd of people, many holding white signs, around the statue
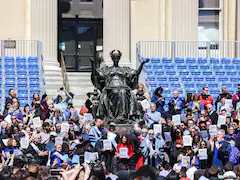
(193, 138)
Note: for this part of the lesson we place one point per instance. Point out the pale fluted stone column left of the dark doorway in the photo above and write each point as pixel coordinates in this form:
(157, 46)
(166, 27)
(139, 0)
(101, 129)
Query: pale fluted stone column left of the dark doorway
(44, 26)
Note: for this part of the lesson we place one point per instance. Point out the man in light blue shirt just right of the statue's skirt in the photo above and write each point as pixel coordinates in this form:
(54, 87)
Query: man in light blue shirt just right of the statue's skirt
(152, 117)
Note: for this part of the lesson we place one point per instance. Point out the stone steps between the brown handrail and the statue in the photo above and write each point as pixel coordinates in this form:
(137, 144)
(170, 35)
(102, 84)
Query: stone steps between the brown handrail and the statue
(80, 84)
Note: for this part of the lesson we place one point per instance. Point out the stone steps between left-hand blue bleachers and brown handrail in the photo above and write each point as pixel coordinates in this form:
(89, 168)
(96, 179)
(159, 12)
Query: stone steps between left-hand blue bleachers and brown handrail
(53, 78)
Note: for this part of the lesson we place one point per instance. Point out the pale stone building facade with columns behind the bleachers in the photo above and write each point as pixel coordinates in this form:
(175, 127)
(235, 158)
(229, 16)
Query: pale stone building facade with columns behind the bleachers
(116, 24)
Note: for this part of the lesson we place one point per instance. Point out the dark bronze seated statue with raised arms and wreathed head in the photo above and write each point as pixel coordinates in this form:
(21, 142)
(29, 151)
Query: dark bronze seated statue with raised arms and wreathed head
(117, 102)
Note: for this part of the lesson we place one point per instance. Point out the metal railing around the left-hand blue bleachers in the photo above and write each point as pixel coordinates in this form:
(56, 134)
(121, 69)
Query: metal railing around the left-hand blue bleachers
(24, 48)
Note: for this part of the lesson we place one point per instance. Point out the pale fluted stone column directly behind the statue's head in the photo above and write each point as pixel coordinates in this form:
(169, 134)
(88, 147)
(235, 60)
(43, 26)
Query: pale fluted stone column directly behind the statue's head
(116, 29)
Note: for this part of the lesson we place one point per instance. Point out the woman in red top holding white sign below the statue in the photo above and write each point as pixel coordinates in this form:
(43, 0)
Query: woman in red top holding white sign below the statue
(125, 143)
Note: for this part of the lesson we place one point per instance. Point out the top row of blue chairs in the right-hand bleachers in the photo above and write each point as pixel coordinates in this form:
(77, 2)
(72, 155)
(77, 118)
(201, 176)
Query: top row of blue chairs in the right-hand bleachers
(190, 60)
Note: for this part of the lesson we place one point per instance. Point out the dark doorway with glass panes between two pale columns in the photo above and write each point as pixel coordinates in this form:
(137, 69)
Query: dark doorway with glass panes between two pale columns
(79, 40)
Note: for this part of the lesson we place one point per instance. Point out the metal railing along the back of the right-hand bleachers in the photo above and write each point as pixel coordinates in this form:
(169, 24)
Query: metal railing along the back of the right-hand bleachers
(173, 49)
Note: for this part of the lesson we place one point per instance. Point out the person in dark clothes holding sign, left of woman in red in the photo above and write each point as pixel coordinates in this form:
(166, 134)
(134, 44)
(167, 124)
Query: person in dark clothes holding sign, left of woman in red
(106, 151)
